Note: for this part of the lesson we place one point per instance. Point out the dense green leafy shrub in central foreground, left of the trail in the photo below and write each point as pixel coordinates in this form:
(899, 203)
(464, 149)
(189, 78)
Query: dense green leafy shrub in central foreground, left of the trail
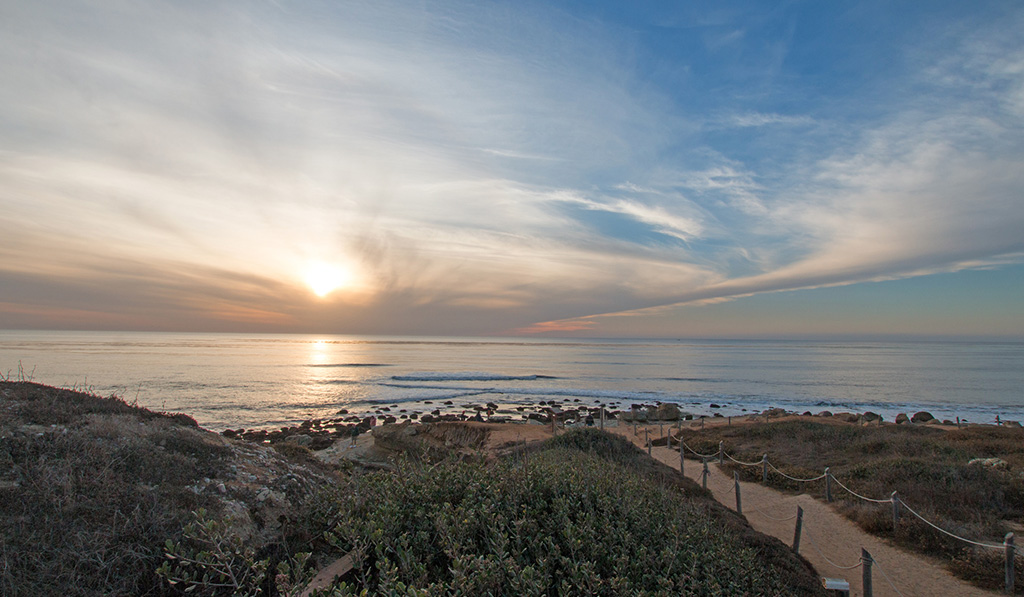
(568, 521)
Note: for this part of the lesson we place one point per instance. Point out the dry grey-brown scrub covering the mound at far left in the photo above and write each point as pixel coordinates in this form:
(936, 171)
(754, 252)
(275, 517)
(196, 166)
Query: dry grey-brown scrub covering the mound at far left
(93, 487)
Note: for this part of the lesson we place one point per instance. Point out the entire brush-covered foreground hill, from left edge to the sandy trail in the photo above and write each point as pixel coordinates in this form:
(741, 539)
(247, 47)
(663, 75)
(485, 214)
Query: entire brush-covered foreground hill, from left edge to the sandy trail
(100, 497)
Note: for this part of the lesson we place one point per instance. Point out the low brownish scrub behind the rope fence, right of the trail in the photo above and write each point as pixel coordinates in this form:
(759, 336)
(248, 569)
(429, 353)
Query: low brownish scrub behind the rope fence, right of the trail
(927, 466)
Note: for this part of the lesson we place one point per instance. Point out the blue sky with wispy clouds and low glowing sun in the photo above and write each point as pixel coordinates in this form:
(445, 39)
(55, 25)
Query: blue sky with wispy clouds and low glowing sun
(550, 168)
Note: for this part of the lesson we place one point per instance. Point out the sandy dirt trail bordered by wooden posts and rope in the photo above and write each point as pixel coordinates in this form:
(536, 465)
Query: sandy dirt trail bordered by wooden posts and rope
(826, 535)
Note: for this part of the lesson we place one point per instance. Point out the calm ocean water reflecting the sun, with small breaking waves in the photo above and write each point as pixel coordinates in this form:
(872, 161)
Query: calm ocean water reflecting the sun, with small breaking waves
(268, 381)
